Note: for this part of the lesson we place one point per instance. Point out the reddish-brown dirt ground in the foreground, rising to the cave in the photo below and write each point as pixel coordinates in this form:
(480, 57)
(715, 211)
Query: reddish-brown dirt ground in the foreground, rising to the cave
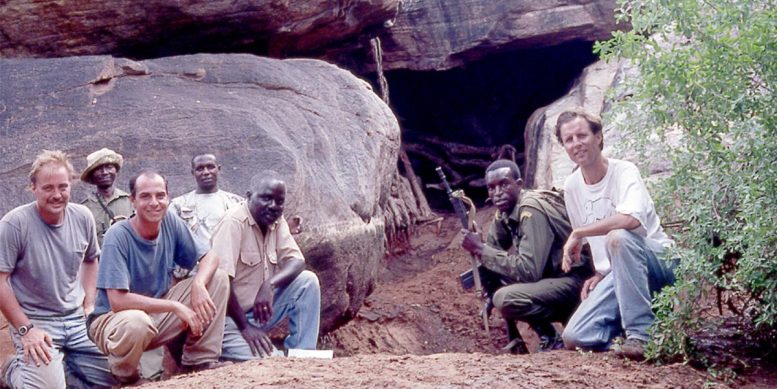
(419, 329)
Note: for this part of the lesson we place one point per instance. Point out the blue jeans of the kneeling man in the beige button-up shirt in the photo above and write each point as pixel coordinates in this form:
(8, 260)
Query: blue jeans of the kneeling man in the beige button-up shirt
(300, 300)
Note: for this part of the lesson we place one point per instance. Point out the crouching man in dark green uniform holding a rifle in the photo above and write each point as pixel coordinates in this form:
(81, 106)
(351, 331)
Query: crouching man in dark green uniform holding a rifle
(521, 259)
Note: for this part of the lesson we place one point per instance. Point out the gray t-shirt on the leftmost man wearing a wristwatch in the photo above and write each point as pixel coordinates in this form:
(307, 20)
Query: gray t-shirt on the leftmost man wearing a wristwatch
(44, 260)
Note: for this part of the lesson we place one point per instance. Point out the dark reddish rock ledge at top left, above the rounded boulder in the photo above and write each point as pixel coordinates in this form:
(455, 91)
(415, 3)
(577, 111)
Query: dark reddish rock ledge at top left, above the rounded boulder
(157, 28)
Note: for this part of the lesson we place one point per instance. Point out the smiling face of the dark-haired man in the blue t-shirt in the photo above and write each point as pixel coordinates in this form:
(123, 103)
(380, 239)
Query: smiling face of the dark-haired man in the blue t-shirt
(150, 198)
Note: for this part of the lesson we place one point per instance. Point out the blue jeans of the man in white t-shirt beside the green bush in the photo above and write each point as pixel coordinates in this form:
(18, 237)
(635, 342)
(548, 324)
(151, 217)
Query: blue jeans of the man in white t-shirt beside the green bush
(621, 302)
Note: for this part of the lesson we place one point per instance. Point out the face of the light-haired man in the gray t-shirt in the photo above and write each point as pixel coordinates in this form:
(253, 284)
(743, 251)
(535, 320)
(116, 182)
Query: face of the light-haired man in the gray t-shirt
(51, 188)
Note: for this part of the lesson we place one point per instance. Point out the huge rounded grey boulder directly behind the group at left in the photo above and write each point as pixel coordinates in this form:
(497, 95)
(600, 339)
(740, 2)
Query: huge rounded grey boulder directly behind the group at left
(321, 128)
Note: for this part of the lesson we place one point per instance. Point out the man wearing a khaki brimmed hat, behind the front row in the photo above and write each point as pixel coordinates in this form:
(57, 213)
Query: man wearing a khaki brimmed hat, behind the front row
(108, 203)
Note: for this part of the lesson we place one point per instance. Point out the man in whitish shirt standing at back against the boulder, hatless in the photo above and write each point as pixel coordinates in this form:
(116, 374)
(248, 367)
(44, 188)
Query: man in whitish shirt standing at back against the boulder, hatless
(203, 207)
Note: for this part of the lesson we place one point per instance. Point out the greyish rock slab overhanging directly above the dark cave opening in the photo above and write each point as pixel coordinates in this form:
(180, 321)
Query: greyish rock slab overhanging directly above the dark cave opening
(436, 35)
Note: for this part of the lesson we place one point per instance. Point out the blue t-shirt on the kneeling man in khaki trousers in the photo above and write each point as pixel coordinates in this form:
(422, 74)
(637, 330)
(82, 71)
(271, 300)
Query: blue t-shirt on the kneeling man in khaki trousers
(132, 263)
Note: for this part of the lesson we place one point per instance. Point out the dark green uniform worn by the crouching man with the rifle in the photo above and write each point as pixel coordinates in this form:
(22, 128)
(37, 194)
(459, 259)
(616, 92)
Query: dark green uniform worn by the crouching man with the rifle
(523, 256)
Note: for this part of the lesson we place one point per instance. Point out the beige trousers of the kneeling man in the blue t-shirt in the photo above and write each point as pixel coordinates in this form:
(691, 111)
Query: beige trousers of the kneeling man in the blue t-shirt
(124, 335)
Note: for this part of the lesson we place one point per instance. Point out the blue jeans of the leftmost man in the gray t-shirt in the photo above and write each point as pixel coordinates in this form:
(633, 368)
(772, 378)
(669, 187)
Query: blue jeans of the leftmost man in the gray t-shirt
(75, 360)
